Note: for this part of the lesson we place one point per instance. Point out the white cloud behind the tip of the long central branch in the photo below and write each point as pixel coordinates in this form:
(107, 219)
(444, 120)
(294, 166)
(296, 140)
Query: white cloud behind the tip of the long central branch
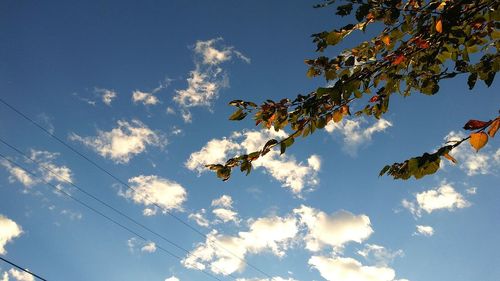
(284, 168)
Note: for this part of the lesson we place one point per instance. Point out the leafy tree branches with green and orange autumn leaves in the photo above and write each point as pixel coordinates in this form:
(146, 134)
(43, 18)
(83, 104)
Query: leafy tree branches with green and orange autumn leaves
(420, 44)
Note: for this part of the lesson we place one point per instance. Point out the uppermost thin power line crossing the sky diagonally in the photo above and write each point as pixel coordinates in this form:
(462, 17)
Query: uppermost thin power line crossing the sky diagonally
(129, 187)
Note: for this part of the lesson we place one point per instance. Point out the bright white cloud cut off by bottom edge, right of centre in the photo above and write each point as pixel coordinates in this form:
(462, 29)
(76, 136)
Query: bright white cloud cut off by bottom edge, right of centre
(349, 269)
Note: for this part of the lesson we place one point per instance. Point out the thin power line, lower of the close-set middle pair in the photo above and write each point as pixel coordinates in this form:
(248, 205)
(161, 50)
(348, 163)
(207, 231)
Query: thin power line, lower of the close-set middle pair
(57, 189)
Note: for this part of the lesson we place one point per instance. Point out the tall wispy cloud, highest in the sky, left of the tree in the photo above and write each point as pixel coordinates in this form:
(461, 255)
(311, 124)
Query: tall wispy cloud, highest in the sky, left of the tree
(208, 77)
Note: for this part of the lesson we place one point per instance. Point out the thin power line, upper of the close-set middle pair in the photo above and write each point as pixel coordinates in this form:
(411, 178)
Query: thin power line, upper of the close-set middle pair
(121, 213)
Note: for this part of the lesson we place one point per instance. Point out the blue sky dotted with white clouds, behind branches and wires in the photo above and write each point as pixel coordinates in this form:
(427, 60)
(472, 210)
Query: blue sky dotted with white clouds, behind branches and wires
(142, 89)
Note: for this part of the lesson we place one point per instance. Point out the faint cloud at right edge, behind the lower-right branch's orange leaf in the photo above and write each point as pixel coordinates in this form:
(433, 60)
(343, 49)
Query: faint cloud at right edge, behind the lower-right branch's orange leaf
(470, 161)
